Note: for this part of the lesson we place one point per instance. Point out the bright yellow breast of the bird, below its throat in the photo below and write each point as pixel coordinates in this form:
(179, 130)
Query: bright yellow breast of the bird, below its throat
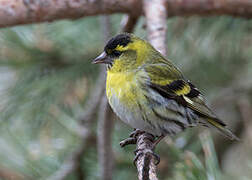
(122, 86)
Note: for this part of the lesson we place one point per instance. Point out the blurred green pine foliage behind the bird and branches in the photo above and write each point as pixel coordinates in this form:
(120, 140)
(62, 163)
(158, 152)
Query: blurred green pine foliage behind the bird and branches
(51, 77)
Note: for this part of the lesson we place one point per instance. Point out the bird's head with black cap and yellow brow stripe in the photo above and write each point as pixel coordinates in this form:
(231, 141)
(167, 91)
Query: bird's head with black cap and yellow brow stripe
(124, 52)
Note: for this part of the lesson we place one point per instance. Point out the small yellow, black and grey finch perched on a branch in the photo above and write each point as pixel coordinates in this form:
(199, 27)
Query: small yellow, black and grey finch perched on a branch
(151, 94)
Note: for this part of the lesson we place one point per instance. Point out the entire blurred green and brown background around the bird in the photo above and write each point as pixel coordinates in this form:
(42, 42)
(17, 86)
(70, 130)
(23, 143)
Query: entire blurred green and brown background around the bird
(47, 79)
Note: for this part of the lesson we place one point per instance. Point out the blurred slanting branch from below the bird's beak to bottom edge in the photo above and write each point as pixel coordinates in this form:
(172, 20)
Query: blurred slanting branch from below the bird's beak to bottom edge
(73, 162)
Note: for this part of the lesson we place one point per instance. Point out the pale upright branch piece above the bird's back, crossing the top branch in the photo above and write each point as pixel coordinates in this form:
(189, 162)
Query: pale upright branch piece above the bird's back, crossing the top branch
(155, 13)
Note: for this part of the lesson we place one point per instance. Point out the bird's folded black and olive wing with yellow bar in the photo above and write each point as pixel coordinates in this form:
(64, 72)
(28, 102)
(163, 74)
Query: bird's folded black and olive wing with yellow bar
(169, 82)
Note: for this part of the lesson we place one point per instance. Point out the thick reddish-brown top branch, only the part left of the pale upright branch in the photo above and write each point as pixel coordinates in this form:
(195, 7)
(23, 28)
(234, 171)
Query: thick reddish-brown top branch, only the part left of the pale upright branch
(30, 11)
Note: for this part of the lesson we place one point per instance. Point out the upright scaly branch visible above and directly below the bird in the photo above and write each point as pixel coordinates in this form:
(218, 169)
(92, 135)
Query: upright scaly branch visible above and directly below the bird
(155, 13)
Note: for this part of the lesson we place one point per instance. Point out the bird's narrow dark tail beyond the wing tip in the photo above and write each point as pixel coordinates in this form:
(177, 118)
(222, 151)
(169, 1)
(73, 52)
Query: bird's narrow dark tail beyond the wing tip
(225, 131)
